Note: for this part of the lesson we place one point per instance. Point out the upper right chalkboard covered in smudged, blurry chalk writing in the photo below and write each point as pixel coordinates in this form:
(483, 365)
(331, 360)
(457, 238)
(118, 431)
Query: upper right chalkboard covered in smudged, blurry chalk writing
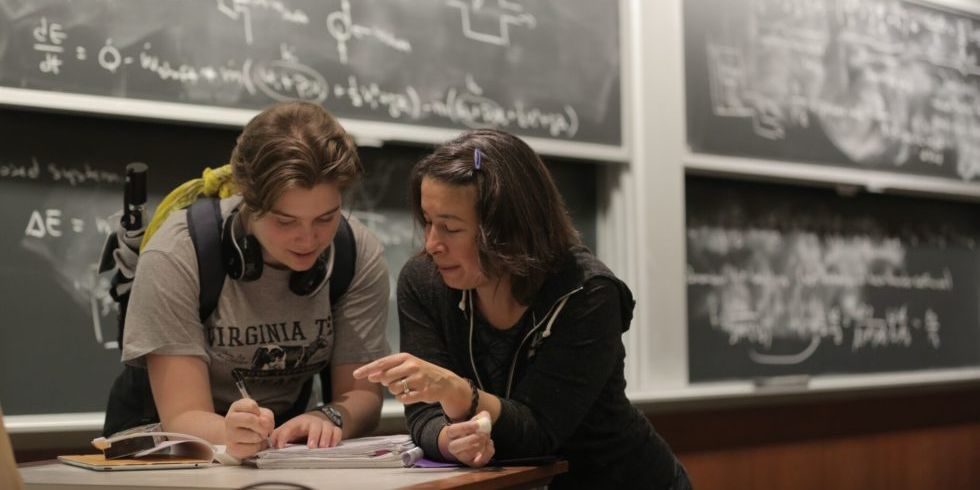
(880, 85)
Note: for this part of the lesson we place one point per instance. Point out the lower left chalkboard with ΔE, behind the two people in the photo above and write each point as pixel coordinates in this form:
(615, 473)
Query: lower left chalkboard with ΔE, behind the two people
(60, 183)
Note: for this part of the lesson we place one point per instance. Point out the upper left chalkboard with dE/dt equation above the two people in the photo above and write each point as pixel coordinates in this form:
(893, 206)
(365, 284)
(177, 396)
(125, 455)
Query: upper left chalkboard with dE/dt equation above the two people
(547, 69)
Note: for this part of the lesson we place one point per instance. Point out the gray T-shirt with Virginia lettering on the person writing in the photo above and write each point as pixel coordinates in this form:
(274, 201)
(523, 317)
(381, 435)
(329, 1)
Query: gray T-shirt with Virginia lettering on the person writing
(260, 330)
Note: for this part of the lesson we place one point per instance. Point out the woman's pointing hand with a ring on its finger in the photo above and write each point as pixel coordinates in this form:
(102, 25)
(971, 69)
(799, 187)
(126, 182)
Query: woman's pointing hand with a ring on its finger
(413, 380)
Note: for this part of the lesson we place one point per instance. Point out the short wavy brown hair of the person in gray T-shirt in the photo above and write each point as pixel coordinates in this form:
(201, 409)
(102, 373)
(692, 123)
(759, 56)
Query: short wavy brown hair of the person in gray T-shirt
(290, 145)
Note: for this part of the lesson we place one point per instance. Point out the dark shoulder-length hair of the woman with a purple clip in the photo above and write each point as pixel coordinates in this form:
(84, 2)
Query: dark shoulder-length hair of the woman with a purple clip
(525, 230)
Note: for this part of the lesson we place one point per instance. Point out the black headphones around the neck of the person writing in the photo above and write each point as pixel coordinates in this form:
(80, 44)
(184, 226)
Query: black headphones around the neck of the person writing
(242, 257)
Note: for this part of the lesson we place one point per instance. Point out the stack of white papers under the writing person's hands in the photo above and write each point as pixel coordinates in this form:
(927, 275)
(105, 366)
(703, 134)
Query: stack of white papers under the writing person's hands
(366, 452)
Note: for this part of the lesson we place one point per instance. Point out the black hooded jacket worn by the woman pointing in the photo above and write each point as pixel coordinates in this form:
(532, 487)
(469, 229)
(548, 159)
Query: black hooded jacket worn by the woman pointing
(566, 388)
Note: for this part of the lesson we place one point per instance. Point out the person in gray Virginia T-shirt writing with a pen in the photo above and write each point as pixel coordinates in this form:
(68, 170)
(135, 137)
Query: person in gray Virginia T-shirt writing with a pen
(274, 326)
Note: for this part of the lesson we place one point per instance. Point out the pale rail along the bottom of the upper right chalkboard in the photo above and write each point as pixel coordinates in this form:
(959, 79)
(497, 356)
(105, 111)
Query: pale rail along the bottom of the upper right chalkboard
(850, 179)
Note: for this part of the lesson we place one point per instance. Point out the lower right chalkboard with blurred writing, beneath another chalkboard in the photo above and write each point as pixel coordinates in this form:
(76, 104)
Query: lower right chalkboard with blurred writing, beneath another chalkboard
(784, 280)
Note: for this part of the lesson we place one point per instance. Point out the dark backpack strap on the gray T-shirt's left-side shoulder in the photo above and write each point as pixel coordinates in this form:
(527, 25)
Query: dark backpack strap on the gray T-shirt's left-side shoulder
(204, 225)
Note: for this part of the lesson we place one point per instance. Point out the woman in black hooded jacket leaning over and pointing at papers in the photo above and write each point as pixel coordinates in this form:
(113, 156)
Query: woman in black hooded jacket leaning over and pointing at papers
(507, 316)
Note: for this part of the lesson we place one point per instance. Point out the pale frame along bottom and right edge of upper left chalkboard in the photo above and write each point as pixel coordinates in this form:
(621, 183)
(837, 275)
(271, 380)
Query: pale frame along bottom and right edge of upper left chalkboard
(366, 132)
